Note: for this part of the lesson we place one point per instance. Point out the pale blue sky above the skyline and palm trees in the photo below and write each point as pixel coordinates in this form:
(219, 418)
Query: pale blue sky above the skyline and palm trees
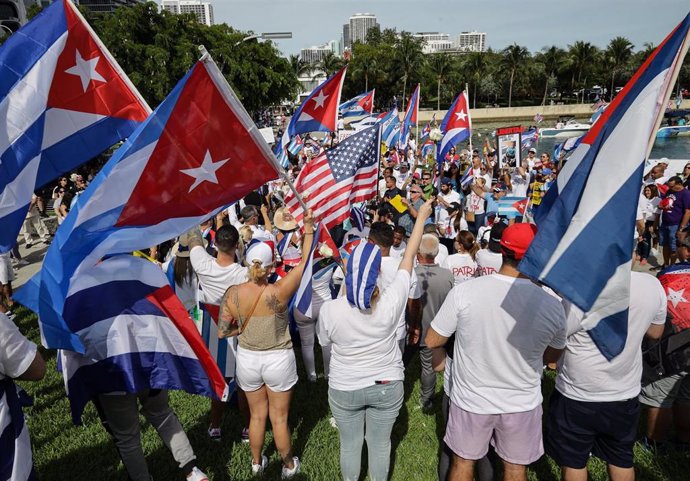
(531, 23)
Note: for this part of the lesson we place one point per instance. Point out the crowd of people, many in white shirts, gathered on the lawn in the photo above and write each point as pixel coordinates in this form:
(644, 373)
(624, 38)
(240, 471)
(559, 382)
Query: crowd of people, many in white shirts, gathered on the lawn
(429, 272)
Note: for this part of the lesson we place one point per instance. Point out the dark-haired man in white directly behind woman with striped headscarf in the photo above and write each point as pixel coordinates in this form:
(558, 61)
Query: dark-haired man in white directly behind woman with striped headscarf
(381, 234)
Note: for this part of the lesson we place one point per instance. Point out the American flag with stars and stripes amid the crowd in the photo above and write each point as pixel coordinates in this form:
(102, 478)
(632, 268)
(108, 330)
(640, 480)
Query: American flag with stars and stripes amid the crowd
(338, 178)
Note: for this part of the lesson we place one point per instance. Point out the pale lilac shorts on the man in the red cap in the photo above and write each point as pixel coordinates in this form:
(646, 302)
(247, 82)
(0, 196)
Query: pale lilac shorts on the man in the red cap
(516, 437)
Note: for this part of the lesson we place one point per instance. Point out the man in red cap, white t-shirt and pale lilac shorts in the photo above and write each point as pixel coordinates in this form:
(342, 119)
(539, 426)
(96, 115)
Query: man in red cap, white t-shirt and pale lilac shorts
(505, 328)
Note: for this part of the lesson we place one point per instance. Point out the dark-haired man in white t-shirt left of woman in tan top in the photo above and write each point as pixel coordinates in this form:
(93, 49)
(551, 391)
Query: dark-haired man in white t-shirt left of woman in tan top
(215, 276)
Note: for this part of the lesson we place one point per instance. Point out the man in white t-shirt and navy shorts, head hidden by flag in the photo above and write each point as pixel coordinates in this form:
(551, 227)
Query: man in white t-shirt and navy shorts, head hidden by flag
(594, 409)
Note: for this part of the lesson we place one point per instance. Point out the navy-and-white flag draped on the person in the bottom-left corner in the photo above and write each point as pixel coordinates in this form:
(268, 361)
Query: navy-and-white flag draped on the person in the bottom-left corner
(16, 462)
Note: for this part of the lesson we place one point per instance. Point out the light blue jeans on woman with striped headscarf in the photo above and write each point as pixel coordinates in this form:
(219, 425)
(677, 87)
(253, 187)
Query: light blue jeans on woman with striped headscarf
(376, 406)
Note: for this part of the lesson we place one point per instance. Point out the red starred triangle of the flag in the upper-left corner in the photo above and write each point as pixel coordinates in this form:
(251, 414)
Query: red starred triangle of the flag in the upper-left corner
(85, 80)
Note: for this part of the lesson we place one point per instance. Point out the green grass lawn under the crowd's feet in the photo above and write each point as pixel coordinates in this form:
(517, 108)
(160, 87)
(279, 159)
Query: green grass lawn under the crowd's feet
(63, 451)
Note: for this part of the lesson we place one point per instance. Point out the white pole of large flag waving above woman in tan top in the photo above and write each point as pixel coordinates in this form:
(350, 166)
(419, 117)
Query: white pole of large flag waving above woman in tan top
(245, 119)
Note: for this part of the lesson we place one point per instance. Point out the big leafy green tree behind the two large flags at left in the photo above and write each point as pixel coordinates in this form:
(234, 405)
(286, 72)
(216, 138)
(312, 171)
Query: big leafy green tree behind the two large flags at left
(156, 49)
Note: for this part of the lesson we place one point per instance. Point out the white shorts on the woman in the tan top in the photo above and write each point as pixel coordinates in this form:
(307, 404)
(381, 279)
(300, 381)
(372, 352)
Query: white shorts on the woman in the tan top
(276, 369)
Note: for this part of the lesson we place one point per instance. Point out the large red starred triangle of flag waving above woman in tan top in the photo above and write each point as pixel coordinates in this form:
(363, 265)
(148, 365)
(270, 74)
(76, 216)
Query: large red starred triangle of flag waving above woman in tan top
(204, 158)
